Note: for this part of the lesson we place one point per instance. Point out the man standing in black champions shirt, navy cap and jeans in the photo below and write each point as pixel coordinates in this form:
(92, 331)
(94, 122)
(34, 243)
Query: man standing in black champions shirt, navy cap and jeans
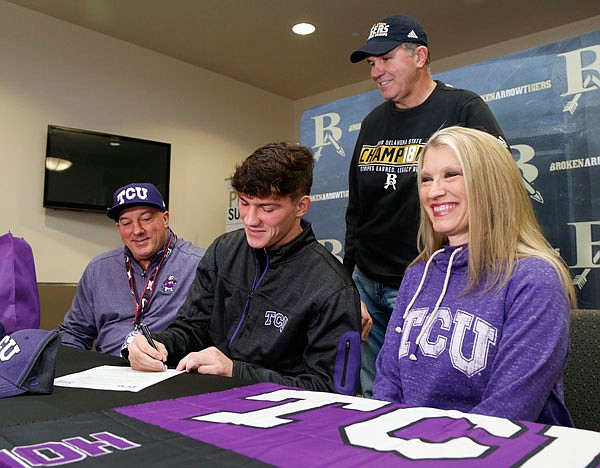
(383, 207)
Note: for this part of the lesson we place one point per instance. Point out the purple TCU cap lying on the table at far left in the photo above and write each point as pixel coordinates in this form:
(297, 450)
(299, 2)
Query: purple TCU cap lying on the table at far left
(27, 362)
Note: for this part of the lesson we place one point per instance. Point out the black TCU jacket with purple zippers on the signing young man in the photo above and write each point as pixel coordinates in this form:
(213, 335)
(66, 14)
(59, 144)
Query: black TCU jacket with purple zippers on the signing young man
(289, 315)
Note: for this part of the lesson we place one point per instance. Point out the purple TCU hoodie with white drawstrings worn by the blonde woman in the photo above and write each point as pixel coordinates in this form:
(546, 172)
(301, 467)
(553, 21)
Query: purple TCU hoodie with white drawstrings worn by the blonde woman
(500, 353)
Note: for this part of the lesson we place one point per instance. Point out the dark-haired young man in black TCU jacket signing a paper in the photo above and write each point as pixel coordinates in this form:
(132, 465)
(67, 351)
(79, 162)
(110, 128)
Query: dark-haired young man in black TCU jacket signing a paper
(268, 303)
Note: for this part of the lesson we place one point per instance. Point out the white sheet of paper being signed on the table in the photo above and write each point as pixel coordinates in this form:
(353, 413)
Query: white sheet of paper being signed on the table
(118, 378)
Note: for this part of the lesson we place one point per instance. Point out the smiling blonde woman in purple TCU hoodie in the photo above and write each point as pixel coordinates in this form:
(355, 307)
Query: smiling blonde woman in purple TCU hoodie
(481, 323)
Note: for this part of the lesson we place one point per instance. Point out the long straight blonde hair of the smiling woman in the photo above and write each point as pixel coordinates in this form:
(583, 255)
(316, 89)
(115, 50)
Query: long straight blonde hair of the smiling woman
(502, 224)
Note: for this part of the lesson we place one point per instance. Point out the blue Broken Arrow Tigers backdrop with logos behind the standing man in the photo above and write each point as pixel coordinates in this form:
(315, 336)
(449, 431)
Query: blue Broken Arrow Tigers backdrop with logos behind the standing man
(547, 101)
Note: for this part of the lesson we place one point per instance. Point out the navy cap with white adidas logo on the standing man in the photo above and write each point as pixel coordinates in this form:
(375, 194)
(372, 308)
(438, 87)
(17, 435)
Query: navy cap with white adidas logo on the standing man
(387, 34)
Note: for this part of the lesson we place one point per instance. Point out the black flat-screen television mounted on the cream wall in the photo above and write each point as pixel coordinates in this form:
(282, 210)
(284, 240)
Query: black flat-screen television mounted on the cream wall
(84, 168)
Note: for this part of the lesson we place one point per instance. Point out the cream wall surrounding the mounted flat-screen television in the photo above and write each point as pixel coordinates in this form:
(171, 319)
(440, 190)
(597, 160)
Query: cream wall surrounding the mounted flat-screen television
(52, 72)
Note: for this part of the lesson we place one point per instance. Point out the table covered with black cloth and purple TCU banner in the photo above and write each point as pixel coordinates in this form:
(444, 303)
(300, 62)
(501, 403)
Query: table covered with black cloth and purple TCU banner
(200, 420)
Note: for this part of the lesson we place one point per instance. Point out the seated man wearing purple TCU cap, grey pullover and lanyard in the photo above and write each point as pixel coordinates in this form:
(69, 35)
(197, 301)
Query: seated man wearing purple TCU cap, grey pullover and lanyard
(146, 280)
